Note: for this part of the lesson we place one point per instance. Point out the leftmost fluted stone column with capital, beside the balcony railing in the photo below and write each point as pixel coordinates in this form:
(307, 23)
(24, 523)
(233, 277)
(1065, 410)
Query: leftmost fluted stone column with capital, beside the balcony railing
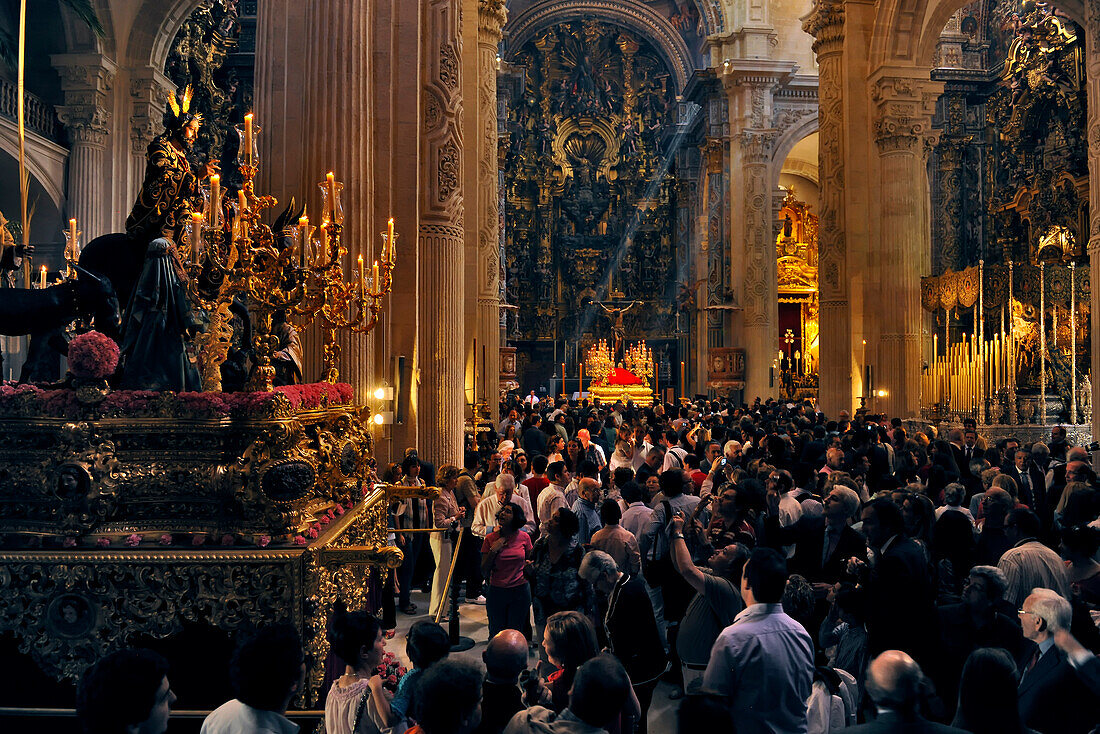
(86, 83)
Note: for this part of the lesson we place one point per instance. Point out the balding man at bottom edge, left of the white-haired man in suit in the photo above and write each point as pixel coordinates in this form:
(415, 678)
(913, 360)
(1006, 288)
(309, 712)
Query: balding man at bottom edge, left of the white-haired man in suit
(895, 683)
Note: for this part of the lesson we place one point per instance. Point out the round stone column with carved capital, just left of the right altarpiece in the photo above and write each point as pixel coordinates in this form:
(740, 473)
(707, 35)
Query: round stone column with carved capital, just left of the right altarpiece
(901, 125)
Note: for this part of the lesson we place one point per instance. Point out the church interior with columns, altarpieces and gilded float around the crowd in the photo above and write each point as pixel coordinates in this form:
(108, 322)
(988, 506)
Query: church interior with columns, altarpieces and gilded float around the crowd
(883, 207)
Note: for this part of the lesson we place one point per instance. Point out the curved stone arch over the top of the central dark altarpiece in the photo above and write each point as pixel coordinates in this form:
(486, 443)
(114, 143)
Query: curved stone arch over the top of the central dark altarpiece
(632, 16)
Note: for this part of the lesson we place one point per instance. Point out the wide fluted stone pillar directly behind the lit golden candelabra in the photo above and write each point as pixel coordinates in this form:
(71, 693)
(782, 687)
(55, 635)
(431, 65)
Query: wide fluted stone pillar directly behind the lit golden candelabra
(316, 117)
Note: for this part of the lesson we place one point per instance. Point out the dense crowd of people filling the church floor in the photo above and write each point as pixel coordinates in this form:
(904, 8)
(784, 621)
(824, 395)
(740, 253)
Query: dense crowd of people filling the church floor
(784, 571)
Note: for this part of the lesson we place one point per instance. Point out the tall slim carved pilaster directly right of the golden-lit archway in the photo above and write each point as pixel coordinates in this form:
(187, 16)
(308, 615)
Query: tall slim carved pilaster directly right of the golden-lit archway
(827, 25)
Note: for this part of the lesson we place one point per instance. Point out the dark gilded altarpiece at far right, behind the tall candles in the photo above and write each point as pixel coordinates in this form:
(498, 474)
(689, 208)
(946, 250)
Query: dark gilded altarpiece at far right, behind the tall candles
(1010, 194)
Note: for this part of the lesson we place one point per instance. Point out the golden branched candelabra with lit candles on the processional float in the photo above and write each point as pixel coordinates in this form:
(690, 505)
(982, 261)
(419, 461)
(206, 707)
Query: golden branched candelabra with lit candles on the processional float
(287, 272)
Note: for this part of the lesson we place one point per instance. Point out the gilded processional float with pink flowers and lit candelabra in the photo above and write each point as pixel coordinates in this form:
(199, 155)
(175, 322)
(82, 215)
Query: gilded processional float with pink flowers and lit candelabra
(135, 517)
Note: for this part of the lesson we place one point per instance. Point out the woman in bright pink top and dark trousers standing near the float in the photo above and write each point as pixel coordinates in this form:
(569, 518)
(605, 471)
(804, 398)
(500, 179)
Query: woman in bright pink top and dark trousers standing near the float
(504, 555)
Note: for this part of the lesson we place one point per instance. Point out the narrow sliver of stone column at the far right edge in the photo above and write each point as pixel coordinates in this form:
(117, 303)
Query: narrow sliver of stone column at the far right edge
(1093, 85)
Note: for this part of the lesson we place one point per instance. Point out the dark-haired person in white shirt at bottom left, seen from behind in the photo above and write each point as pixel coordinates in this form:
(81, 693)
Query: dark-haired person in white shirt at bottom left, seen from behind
(269, 669)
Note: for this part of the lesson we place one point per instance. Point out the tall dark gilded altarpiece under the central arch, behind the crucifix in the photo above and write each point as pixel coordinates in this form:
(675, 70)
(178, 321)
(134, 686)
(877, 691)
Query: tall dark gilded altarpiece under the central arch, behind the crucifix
(591, 196)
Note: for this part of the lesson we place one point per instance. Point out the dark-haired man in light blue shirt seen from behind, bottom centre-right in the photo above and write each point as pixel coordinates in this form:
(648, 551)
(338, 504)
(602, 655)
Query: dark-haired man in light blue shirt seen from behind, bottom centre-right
(764, 663)
